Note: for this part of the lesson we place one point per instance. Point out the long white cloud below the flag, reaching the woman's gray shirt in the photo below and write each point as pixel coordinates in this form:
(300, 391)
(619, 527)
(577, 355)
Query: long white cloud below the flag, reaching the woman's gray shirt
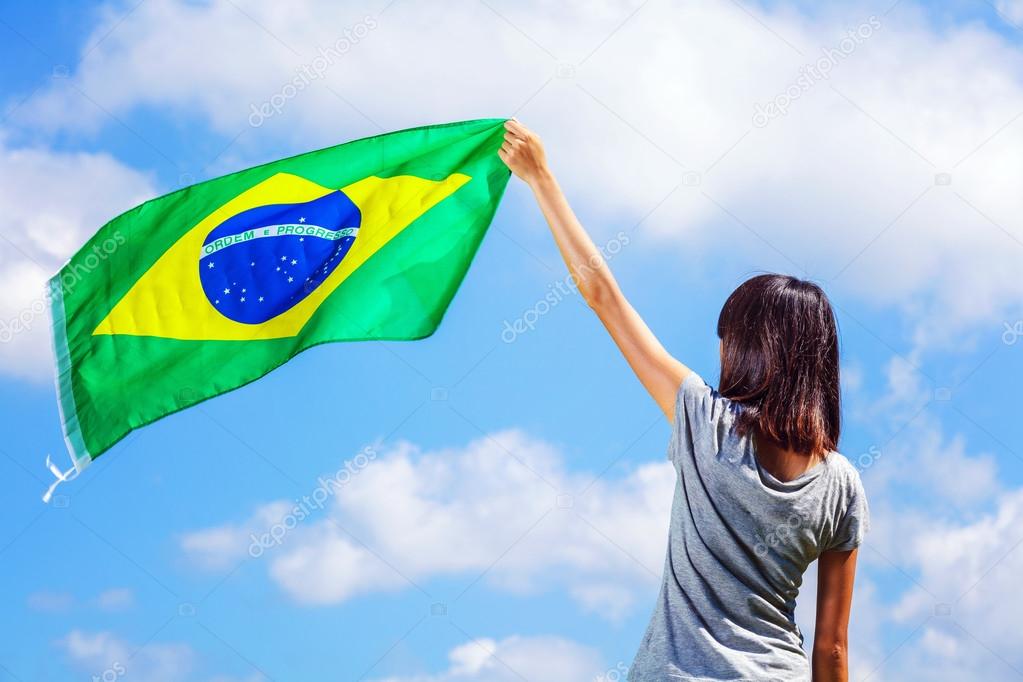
(503, 509)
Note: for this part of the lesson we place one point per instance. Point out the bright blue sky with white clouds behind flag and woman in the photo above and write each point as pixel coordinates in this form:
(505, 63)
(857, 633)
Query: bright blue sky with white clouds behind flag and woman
(510, 522)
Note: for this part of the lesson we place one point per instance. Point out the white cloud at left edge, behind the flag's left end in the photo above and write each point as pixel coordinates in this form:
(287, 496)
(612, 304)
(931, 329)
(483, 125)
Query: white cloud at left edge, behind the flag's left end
(52, 202)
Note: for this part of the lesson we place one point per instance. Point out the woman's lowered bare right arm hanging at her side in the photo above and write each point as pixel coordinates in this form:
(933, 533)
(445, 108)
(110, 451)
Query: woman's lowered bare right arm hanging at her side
(836, 572)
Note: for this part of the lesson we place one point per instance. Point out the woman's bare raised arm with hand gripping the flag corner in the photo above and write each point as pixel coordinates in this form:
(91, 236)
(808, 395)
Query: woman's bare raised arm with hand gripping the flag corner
(660, 374)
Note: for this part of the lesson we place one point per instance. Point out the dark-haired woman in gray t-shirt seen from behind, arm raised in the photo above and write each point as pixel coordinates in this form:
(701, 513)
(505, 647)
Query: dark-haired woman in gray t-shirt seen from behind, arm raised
(761, 492)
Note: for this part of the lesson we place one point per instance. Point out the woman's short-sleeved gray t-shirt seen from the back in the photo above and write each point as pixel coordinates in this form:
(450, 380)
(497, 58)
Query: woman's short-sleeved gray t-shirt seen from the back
(739, 543)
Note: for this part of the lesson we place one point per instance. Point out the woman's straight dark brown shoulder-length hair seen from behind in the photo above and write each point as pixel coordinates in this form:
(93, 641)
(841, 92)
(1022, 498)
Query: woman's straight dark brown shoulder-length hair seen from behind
(780, 362)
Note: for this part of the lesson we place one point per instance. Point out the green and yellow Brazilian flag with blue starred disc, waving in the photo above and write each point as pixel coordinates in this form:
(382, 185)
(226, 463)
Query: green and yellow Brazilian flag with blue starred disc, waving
(203, 291)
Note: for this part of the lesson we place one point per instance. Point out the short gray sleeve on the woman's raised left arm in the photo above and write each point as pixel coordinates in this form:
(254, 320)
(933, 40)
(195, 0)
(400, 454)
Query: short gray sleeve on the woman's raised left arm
(695, 430)
